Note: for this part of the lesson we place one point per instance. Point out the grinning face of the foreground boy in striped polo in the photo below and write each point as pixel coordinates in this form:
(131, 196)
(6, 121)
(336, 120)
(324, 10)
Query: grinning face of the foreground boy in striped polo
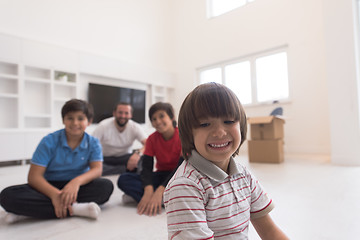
(217, 139)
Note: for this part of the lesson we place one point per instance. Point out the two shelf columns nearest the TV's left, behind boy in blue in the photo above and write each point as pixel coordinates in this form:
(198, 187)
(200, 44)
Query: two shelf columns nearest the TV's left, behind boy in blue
(45, 92)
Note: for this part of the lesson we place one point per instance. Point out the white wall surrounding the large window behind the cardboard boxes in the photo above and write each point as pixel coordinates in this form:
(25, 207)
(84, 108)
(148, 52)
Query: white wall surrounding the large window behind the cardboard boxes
(260, 26)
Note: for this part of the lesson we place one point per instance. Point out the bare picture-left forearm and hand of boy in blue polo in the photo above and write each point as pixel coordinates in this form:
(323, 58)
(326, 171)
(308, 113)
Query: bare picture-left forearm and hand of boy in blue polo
(37, 181)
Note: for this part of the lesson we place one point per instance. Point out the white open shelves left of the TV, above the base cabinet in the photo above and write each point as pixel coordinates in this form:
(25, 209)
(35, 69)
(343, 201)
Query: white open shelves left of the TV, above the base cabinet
(32, 97)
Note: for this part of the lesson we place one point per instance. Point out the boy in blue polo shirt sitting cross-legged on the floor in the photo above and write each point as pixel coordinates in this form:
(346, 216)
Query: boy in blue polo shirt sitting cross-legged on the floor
(64, 176)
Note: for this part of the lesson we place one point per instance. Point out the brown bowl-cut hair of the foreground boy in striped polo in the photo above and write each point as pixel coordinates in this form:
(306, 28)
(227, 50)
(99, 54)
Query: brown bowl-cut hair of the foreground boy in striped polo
(208, 100)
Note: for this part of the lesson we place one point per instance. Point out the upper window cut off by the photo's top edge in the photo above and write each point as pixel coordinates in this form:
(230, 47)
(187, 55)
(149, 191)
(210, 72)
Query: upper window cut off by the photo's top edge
(218, 7)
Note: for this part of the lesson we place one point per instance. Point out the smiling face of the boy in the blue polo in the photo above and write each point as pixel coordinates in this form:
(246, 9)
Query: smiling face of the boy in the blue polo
(75, 123)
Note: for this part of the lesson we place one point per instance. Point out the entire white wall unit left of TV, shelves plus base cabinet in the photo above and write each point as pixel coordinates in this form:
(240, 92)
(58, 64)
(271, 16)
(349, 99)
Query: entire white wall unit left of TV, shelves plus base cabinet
(31, 99)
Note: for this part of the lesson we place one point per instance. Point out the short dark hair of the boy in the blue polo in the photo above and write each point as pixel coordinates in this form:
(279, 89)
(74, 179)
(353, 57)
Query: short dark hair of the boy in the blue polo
(75, 105)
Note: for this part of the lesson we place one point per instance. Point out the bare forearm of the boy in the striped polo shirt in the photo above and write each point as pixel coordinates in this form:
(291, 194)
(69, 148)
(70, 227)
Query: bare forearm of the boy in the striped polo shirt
(267, 229)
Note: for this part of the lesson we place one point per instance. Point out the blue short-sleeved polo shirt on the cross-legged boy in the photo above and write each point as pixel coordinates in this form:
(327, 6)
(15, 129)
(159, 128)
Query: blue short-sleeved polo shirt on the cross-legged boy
(61, 162)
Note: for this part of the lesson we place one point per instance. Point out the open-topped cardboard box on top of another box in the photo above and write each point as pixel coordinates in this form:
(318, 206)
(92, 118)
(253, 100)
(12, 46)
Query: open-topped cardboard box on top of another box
(266, 128)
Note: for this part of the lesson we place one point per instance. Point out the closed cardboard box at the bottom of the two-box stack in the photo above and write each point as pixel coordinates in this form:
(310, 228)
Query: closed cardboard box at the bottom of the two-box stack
(266, 151)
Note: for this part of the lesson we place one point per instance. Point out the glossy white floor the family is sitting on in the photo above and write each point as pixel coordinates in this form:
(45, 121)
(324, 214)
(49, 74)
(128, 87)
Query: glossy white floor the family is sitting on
(314, 200)
